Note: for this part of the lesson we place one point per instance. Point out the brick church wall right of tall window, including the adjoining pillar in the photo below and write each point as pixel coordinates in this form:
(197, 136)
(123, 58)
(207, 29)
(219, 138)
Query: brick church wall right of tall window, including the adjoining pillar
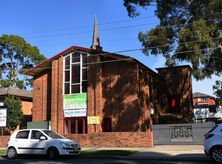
(114, 92)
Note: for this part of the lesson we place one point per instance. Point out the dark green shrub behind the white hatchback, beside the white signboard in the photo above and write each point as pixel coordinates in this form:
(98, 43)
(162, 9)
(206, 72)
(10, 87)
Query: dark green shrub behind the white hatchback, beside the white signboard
(15, 114)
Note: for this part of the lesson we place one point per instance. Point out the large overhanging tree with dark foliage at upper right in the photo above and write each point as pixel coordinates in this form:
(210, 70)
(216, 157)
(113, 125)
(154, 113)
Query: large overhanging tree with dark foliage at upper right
(189, 31)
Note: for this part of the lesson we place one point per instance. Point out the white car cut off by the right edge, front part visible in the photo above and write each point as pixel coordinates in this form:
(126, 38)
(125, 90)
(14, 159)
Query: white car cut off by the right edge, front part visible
(213, 143)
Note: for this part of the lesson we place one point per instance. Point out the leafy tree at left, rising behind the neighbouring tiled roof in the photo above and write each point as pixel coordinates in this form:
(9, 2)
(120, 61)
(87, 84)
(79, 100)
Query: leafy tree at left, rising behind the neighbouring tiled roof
(16, 56)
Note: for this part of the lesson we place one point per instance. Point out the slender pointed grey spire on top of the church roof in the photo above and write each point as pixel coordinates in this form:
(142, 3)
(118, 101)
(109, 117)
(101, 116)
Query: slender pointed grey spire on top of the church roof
(95, 41)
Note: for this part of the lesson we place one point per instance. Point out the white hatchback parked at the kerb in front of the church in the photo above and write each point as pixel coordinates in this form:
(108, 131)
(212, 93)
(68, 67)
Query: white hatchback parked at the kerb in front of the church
(40, 142)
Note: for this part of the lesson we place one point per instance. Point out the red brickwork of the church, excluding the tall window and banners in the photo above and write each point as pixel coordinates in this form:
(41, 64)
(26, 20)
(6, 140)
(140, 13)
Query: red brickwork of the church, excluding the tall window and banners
(123, 92)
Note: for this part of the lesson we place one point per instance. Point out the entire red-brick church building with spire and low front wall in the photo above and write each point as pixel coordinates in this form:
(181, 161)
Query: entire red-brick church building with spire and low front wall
(101, 98)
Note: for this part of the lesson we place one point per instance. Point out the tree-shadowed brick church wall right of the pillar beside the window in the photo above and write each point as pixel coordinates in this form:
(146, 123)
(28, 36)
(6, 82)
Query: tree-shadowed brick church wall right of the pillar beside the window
(128, 92)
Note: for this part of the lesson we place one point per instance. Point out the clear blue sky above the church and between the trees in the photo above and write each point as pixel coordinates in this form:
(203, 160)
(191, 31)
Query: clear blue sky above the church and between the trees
(55, 25)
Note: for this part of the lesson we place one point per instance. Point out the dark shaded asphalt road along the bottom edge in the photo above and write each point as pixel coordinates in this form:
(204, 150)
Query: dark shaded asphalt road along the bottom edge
(77, 160)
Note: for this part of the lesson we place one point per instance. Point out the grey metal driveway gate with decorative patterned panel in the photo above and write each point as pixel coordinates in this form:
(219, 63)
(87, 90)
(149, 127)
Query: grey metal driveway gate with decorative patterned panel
(180, 134)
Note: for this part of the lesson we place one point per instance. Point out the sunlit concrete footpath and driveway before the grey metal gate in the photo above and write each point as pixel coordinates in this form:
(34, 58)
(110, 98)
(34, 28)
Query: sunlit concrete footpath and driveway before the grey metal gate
(165, 152)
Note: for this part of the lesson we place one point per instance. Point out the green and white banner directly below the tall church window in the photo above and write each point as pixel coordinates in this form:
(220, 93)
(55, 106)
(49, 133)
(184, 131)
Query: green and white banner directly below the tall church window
(77, 101)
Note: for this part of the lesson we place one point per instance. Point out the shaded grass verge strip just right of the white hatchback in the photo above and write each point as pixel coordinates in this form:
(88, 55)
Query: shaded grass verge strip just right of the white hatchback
(106, 152)
